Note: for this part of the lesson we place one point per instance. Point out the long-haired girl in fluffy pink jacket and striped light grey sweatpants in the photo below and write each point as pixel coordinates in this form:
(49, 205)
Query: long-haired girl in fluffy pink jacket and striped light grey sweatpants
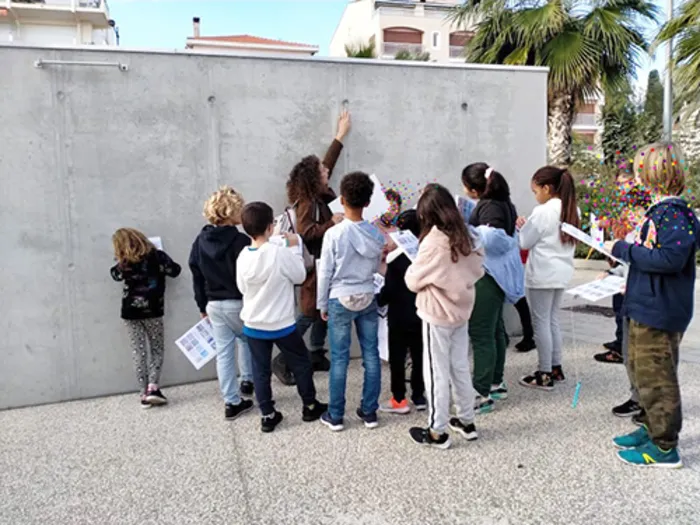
(443, 275)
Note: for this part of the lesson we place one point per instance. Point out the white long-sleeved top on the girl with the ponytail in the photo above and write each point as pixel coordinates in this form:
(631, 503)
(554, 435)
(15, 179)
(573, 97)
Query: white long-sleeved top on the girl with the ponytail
(550, 263)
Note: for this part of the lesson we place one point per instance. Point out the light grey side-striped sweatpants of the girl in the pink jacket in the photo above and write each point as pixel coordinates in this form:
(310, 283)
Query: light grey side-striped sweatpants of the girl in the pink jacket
(445, 363)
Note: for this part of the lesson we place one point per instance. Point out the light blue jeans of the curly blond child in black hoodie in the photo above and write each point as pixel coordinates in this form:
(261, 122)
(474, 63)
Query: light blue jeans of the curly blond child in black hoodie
(225, 317)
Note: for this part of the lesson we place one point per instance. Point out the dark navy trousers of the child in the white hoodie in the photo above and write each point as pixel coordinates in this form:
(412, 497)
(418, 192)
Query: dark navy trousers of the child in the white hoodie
(297, 358)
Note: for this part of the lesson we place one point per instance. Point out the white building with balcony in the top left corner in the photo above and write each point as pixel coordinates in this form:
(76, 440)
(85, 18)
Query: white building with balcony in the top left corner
(57, 22)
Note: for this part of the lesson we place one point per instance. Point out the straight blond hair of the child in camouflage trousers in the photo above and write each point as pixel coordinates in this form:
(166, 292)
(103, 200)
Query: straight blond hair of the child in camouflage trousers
(660, 167)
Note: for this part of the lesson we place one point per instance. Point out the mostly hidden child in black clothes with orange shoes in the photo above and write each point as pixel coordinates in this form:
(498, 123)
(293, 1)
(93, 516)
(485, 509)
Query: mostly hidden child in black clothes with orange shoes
(404, 326)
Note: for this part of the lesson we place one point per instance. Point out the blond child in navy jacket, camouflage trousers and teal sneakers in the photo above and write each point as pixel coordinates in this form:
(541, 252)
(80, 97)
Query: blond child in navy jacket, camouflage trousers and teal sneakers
(658, 306)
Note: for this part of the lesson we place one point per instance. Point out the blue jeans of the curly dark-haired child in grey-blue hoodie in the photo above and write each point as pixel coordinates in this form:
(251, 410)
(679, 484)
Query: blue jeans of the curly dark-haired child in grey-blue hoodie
(366, 322)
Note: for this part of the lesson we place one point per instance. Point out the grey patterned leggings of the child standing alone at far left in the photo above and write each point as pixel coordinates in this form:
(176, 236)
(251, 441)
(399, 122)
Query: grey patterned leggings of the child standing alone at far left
(142, 333)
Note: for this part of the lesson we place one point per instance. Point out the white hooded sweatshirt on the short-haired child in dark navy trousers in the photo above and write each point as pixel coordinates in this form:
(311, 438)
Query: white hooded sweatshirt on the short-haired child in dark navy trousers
(266, 277)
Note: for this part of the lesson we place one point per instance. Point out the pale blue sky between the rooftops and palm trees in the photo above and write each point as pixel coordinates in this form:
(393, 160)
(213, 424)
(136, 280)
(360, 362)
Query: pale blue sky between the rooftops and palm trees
(165, 24)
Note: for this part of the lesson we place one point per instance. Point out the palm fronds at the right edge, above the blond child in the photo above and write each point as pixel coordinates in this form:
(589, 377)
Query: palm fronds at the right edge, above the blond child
(685, 29)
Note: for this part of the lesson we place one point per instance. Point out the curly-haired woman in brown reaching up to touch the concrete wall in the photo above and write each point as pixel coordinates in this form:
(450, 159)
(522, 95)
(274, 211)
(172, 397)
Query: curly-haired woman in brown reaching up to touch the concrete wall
(309, 194)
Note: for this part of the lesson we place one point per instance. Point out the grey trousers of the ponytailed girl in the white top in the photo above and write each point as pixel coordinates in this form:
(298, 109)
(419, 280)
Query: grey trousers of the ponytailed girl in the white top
(545, 304)
